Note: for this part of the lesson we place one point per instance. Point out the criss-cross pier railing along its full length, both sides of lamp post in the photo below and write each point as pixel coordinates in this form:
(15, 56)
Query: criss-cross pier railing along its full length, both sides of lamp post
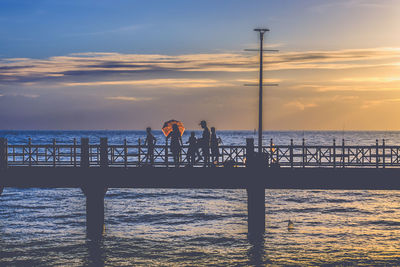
(126, 155)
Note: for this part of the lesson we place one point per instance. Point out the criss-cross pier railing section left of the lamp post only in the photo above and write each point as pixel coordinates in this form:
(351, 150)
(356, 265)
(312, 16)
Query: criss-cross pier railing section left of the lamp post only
(125, 155)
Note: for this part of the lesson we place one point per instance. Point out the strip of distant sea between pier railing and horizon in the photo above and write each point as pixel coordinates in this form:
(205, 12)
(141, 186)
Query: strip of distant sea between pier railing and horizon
(234, 137)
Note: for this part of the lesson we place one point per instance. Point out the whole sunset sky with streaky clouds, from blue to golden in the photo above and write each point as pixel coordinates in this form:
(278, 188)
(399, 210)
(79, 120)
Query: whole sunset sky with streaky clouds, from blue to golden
(120, 64)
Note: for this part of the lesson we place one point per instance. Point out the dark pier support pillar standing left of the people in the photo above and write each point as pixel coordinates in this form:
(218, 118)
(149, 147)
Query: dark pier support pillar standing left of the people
(94, 211)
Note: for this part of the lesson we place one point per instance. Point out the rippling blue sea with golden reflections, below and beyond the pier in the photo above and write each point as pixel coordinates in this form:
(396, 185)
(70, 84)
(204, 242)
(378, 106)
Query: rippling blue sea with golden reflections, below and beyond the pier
(201, 227)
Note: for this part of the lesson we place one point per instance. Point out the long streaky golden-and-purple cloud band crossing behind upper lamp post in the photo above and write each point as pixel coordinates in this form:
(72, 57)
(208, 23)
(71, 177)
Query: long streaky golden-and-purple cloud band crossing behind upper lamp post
(95, 68)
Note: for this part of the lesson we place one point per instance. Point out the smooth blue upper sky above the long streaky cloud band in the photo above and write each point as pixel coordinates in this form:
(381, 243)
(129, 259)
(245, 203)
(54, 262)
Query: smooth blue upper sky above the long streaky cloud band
(41, 28)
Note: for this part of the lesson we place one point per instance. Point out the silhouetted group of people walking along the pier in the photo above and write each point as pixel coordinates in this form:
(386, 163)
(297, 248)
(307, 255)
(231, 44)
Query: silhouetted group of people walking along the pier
(208, 142)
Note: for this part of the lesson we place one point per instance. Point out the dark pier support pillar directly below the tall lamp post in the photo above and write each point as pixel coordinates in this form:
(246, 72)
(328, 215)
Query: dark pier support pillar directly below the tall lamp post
(256, 210)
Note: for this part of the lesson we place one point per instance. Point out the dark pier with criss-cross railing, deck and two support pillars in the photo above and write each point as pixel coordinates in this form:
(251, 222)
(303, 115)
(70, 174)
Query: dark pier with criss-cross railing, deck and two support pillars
(95, 167)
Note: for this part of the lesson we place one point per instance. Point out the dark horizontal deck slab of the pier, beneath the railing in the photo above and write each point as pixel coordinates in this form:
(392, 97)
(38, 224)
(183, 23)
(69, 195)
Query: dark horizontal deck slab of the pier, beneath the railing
(218, 178)
